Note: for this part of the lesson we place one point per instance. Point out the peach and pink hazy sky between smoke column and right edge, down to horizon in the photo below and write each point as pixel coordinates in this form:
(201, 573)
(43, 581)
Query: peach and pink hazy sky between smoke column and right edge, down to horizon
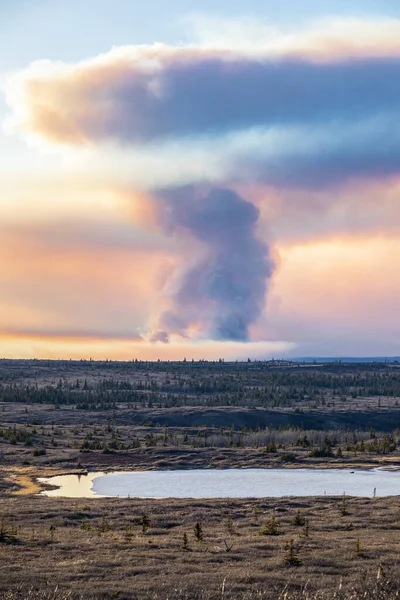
(337, 296)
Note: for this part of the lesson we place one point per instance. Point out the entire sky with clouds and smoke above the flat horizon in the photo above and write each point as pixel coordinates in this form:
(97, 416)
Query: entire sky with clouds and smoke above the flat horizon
(186, 179)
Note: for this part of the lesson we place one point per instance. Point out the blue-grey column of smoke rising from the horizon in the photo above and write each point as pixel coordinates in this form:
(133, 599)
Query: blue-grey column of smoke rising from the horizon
(223, 291)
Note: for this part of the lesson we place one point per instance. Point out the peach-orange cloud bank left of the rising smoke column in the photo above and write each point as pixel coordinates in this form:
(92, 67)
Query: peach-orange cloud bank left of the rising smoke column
(68, 284)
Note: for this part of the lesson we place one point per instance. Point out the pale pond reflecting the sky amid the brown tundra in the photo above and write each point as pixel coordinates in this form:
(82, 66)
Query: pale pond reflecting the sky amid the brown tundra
(228, 483)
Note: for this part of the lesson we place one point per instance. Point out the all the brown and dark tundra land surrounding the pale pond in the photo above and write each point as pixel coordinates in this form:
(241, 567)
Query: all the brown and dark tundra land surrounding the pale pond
(59, 417)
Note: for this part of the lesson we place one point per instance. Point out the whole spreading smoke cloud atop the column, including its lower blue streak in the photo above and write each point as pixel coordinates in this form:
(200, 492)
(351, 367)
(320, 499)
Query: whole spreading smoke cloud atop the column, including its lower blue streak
(294, 110)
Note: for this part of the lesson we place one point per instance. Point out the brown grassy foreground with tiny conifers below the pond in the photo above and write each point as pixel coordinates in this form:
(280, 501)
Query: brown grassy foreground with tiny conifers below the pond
(115, 548)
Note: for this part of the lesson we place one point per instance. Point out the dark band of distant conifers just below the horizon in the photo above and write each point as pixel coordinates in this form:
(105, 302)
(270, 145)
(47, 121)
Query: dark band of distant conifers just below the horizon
(167, 385)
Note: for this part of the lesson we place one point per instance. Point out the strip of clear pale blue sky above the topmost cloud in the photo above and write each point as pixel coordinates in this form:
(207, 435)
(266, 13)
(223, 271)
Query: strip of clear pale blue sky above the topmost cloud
(60, 30)
